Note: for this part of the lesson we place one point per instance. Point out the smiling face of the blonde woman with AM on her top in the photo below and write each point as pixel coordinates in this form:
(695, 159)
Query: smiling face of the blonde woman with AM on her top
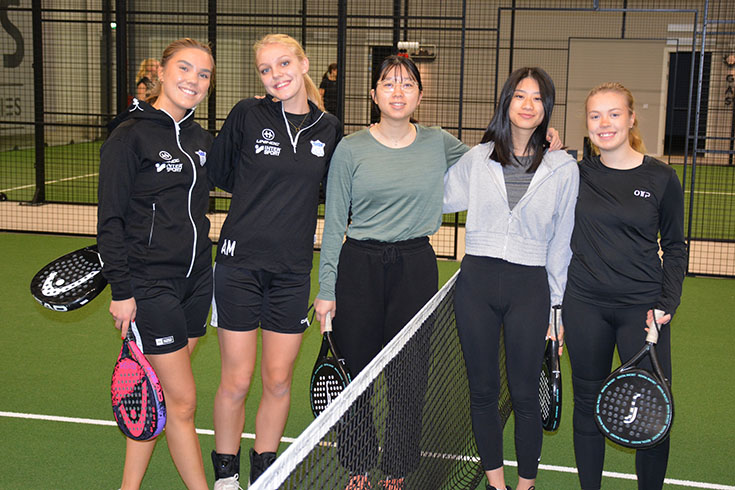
(282, 74)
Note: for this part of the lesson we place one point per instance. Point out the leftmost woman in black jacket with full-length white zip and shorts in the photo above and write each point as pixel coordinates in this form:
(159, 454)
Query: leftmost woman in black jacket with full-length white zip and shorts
(153, 239)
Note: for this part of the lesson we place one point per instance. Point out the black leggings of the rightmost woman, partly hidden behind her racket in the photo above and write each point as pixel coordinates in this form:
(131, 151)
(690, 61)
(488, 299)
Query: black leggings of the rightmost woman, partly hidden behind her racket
(591, 333)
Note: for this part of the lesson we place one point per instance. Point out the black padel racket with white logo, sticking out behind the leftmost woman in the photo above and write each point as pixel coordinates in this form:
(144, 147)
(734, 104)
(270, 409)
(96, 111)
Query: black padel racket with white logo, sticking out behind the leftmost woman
(71, 281)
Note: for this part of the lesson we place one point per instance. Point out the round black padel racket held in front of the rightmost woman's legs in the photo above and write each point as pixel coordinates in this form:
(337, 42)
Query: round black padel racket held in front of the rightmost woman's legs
(635, 407)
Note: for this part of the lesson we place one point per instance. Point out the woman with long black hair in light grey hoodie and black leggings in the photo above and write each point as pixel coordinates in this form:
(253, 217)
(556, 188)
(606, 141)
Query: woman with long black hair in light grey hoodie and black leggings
(520, 200)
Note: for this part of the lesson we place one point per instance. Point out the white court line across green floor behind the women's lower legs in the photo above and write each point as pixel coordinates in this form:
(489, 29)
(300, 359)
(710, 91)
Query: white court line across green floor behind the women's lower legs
(246, 435)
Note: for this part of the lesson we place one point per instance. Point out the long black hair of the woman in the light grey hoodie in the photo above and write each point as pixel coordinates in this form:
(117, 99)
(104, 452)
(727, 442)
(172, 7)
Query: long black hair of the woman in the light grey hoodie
(499, 129)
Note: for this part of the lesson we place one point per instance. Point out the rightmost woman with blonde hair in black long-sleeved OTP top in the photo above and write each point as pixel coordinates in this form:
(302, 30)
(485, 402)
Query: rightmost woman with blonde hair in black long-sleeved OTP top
(627, 199)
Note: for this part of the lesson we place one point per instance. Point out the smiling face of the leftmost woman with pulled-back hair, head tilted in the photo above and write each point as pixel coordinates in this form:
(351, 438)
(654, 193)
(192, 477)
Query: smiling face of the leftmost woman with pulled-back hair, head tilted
(185, 80)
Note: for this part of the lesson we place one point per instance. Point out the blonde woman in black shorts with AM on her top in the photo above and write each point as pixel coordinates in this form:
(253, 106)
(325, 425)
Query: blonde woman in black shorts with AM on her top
(272, 154)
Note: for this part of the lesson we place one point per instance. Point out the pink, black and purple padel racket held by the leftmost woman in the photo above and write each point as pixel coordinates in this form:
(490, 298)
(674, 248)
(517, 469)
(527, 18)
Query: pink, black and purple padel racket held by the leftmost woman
(137, 396)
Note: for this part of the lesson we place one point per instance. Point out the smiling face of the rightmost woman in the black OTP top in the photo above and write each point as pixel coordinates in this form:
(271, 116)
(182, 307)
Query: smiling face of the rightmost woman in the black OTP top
(609, 120)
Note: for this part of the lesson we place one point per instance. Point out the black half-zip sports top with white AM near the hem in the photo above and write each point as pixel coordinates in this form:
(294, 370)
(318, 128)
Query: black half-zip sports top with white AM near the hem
(274, 175)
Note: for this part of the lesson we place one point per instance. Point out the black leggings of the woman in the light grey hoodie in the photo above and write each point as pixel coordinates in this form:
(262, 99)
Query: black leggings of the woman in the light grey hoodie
(490, 293)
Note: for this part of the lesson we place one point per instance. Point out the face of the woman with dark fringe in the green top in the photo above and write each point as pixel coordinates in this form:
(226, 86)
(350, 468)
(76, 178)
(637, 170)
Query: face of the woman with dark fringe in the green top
(397, 94)
